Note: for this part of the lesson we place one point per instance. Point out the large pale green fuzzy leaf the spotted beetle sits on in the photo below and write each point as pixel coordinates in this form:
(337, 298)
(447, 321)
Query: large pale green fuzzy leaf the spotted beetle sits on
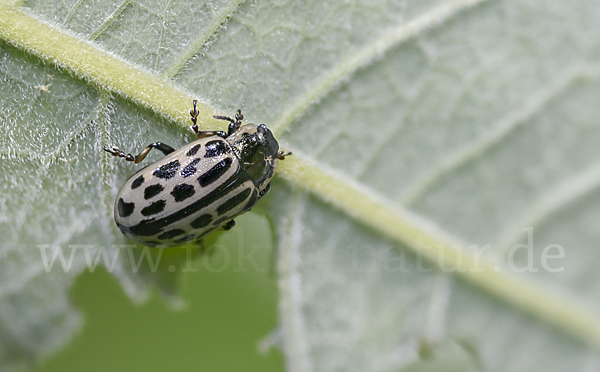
(440, 203)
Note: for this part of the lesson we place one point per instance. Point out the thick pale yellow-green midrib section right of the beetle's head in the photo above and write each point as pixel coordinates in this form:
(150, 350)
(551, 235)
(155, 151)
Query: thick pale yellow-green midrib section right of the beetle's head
(439, 247)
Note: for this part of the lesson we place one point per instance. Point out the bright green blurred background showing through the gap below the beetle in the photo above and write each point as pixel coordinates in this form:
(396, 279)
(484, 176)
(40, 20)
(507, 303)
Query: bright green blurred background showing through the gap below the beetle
(226, 314)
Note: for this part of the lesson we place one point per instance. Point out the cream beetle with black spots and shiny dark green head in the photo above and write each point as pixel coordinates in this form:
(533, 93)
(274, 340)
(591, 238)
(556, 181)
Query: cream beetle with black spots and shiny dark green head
(198, 188)
